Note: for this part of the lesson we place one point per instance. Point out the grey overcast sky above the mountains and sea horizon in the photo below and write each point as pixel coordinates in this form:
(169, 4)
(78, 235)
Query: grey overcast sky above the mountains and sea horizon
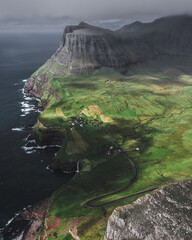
(55, 14)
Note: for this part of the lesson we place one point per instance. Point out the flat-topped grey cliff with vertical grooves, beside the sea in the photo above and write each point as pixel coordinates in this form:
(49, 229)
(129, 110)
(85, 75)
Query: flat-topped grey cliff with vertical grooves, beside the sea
(89, 47)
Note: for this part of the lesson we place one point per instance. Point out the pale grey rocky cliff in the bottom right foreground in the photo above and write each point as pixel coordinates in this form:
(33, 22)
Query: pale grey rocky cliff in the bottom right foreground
(166, 214)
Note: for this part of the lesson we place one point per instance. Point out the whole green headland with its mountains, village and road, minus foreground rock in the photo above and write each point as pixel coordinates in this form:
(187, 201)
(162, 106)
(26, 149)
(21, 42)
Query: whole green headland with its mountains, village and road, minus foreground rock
(119, 104)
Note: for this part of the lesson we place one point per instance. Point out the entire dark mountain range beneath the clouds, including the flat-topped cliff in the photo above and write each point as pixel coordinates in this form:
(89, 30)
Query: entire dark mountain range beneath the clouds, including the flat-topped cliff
(86, 47)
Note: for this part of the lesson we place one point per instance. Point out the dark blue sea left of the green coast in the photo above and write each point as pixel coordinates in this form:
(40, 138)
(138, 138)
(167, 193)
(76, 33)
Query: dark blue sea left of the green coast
(24, 178)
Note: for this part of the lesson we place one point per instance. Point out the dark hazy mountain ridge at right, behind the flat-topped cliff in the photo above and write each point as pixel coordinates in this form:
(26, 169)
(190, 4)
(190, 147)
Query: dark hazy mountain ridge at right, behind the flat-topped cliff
(169, 35)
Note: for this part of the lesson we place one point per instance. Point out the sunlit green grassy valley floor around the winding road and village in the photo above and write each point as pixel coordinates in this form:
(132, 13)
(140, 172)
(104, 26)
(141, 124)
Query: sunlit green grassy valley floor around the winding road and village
(150, 110)
